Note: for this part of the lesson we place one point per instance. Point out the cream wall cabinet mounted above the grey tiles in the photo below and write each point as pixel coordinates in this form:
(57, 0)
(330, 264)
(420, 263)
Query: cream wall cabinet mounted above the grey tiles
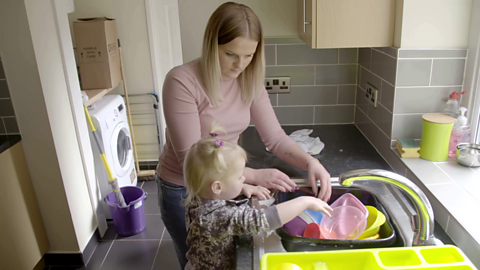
(346, 23)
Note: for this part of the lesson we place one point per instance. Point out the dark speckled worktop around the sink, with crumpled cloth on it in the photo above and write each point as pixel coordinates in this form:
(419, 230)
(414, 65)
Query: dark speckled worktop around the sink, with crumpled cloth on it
(345, 149)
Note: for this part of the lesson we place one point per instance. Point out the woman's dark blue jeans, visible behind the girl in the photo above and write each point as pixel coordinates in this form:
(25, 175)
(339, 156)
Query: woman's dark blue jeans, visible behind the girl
(170, 197)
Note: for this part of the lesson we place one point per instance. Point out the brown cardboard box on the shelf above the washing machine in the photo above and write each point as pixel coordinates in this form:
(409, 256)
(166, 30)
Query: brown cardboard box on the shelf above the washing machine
(98, 56)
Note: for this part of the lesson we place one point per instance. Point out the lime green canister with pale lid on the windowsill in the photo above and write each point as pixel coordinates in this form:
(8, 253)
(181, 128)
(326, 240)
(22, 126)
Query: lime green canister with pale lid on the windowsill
(436, 131)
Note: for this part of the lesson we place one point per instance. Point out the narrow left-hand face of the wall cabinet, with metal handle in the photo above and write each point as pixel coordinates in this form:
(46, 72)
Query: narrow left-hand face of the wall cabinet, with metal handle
(307, 22)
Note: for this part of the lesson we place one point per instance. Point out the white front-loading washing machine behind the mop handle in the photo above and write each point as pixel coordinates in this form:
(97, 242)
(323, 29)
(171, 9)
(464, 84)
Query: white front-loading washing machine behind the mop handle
(109, 116)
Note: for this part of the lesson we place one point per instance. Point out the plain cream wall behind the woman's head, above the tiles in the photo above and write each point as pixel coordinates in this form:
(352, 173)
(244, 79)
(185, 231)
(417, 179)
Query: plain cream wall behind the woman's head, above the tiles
(278, 17)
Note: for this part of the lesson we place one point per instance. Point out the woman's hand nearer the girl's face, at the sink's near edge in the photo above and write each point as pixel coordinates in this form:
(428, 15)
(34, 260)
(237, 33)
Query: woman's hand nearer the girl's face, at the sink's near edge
(273, 179)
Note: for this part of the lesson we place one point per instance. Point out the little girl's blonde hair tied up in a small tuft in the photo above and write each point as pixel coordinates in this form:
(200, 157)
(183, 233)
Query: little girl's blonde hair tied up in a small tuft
(208, 160)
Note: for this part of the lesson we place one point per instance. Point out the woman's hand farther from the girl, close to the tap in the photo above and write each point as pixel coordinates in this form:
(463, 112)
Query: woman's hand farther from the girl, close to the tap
(317, 171)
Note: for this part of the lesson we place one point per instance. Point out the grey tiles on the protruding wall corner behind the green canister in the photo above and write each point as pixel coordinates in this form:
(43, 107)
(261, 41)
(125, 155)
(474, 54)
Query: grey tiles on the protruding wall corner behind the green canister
(410, 85)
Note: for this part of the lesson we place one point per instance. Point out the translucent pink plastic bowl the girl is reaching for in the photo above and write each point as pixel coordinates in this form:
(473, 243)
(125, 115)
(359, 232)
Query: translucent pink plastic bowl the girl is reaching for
(346, 223)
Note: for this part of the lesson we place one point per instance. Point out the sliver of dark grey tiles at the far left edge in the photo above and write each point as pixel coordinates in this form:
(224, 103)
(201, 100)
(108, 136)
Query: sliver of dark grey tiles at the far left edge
(8, 122)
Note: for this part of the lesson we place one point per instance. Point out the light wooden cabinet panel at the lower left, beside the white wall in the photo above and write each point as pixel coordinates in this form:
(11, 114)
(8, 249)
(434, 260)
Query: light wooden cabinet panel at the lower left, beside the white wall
(23, 236)
